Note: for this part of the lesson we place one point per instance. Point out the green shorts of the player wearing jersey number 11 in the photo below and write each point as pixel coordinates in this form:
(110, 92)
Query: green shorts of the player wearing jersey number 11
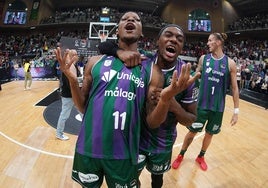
(89, 172)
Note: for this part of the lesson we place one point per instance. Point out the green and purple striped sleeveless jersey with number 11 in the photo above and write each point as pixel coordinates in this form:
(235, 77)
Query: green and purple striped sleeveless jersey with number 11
(111, 124)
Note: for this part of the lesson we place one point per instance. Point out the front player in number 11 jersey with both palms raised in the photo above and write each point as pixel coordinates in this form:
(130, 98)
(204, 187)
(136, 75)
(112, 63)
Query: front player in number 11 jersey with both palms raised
(112, 99)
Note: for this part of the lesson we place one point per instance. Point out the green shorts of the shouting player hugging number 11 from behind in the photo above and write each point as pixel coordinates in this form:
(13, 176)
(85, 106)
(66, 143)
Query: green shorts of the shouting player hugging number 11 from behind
(154, 163)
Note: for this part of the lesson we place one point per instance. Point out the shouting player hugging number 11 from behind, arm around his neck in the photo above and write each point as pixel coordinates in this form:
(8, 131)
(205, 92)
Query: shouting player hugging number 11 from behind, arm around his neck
(156, 144)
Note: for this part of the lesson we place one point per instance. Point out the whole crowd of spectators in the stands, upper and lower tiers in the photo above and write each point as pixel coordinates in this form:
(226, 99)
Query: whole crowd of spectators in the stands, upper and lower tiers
(250, 55)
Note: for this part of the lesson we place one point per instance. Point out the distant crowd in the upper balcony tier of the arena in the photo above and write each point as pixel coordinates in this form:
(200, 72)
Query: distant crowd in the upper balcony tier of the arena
(77, 15)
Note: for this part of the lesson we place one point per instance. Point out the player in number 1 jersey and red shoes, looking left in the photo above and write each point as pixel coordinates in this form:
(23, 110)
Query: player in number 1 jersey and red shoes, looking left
(217, 72)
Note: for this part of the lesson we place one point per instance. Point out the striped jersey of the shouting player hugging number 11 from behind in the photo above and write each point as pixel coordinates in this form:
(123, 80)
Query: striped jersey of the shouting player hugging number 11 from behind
(161, 140)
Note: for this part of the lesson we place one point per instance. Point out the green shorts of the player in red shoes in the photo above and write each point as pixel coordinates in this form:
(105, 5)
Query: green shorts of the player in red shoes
(212, 120)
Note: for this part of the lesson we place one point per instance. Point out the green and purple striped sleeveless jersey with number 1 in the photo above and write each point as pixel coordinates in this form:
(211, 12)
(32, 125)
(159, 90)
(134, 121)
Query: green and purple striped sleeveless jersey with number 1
(215, 79)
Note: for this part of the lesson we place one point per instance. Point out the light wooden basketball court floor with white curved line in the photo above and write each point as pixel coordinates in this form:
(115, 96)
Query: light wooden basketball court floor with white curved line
(31, 156)
